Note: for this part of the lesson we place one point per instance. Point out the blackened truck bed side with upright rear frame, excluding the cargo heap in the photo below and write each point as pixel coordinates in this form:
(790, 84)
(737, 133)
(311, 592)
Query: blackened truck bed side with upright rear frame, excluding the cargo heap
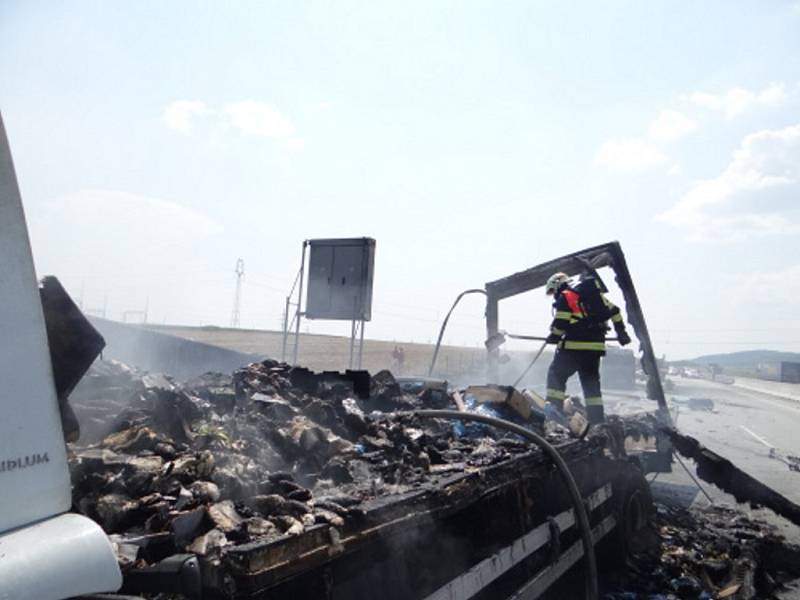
(502, 530)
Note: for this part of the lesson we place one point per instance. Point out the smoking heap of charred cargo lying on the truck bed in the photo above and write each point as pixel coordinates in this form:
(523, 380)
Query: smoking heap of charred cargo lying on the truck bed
(266, 453)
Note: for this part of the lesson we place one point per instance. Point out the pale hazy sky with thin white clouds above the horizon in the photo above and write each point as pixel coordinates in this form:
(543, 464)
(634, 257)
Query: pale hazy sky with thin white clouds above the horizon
(157, 142)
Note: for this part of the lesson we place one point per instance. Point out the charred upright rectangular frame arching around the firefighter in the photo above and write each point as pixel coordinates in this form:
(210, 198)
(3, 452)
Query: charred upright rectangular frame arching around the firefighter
(588, 261)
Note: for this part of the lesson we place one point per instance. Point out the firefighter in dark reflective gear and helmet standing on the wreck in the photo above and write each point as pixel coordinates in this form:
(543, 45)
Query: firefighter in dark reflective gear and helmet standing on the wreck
(579, 331)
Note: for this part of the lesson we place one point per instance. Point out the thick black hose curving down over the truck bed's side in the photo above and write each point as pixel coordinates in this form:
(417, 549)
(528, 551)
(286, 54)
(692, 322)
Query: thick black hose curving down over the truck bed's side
(549, 450)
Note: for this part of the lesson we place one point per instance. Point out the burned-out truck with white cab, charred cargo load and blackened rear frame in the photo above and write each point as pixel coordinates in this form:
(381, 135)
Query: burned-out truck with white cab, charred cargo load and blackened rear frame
(275, 482)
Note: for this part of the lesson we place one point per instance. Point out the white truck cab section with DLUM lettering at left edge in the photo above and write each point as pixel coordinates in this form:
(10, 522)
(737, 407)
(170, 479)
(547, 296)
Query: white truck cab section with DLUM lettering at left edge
(45, 552)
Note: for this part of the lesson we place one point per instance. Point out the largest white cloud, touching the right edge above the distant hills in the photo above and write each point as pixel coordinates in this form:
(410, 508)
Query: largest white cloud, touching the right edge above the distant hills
(756, 195)
